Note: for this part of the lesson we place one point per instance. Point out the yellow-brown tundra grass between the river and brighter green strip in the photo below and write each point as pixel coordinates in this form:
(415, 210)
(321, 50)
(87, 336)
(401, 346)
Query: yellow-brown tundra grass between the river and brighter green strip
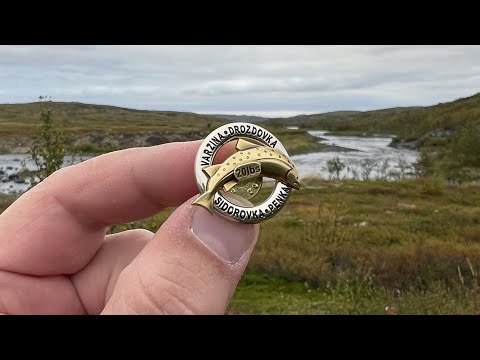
(409, 233)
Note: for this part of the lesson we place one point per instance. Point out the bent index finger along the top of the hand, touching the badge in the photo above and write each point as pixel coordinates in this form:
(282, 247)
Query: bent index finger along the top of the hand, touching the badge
(57, 227)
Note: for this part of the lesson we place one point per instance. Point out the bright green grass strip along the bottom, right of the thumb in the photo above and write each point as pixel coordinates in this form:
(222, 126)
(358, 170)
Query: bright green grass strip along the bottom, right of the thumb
(260, 293)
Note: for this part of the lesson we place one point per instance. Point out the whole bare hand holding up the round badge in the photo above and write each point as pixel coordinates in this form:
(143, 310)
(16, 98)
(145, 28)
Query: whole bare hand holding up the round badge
(55, 256)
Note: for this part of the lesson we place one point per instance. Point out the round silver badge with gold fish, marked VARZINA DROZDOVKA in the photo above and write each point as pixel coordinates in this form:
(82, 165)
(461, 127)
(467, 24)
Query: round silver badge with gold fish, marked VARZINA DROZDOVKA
(258, 154)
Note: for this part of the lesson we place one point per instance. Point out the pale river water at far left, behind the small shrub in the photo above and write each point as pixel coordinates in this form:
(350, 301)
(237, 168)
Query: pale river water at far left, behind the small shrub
(13, 163)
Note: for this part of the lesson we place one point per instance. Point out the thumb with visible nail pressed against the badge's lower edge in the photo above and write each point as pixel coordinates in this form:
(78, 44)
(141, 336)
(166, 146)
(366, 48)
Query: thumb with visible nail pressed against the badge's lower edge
(191, 266)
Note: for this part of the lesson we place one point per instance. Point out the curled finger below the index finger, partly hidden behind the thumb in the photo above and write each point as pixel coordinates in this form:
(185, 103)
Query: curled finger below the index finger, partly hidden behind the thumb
(84, 292)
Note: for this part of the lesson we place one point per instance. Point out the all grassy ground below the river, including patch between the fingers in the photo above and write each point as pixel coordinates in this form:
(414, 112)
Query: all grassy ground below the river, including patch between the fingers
(351, 247)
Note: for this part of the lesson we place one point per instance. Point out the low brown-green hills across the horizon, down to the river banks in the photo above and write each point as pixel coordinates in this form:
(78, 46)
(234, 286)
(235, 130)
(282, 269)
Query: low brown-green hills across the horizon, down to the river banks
(448, 134)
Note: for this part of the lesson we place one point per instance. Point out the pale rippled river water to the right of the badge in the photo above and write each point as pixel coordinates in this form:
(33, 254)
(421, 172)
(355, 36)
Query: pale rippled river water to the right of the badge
(386, 162)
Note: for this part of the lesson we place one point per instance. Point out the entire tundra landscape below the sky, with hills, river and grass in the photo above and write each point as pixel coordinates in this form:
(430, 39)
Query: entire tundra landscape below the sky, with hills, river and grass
(387, 220)
